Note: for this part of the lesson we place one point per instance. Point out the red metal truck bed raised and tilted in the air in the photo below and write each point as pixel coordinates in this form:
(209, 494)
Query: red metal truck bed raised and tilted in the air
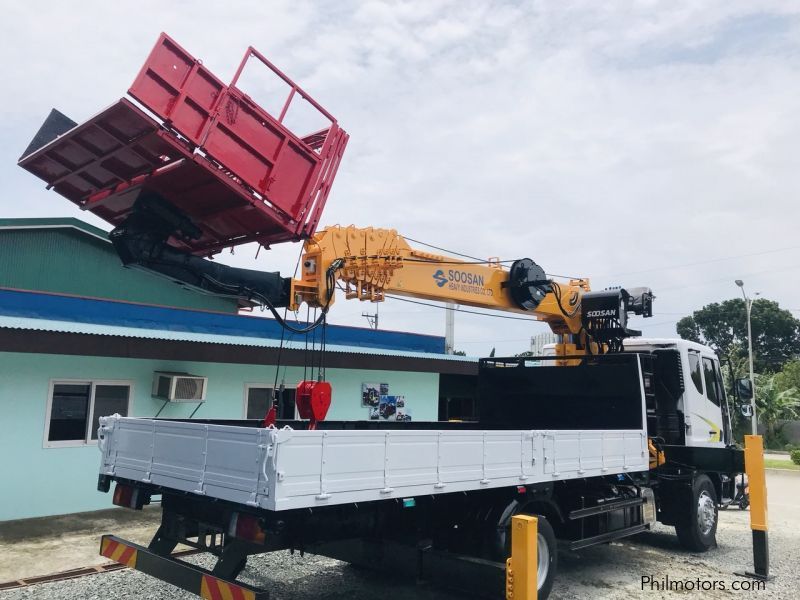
(207, 148)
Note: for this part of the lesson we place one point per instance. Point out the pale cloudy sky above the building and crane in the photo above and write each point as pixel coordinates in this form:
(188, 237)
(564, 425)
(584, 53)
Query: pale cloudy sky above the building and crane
(636, 143)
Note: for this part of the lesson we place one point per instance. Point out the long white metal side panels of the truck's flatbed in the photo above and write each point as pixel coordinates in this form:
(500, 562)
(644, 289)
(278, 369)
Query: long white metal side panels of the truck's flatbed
(282, 469)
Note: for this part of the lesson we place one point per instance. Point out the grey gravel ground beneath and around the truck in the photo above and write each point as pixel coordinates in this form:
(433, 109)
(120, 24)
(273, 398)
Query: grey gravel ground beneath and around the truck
(612, 571)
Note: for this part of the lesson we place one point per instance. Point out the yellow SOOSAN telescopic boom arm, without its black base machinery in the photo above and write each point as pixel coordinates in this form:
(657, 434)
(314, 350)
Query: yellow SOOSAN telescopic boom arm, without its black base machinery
(377, 262)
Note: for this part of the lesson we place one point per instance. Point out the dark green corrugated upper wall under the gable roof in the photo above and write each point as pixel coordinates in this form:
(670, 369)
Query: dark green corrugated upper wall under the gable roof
(67, 261)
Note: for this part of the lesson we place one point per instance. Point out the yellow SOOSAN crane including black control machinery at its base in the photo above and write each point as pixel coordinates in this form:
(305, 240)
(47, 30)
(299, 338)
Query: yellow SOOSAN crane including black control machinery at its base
(369, 263)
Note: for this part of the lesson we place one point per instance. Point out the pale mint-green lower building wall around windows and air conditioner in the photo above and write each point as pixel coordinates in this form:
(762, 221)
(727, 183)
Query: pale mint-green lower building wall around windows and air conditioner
(39, 481)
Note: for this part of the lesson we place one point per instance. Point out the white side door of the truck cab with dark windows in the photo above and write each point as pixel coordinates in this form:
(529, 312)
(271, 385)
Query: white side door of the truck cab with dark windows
(706, 422)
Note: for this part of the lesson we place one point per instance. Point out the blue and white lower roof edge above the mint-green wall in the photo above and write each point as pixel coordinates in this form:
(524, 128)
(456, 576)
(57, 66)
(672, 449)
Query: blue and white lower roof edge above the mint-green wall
(52, 324)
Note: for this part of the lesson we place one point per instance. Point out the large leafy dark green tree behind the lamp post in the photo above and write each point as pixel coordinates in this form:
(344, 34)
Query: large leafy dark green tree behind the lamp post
(723, 326)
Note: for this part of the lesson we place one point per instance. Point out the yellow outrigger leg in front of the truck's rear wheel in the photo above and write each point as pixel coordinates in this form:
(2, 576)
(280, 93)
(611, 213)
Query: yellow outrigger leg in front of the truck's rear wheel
(522, 567)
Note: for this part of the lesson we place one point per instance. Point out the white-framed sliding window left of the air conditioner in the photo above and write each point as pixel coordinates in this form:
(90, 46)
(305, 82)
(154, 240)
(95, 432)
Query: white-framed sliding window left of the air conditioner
(74, 409)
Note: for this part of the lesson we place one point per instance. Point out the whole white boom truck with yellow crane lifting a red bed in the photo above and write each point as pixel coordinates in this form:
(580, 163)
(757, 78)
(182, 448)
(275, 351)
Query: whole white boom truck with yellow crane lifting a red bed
(601, 439)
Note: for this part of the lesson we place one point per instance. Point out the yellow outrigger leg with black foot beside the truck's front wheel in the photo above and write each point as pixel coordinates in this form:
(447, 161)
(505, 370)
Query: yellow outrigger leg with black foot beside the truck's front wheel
(757, 482)
